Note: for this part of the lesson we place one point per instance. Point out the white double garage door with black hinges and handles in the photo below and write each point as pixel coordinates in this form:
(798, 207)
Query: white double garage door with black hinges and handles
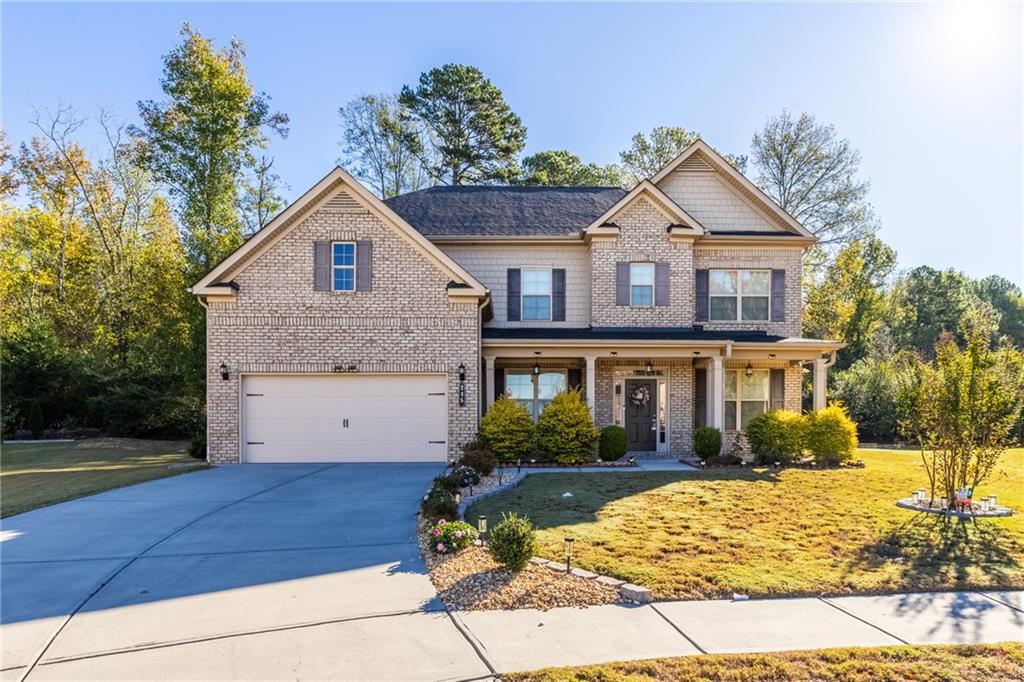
(367, 418)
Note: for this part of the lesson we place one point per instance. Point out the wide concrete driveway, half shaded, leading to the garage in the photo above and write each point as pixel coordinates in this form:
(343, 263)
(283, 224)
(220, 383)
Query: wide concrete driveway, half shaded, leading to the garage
(242, 572)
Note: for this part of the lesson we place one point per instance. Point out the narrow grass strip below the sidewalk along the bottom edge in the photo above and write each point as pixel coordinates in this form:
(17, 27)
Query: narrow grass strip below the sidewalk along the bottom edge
(991, 662)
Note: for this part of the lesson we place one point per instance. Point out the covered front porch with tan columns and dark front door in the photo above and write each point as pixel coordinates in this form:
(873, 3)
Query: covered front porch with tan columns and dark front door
(658, 390)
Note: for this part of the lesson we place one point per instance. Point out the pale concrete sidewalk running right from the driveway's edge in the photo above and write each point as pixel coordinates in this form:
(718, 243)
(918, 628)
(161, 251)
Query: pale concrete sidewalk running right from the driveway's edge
(528, 640)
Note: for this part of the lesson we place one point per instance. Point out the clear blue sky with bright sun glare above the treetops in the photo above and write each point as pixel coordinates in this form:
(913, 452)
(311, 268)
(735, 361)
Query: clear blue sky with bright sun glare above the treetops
(930, 95)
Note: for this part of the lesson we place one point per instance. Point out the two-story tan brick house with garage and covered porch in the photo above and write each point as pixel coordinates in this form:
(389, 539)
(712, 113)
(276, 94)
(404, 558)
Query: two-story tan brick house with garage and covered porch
(352, 329)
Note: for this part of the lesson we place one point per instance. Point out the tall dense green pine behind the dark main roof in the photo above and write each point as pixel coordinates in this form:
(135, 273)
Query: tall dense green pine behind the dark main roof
(477, 137)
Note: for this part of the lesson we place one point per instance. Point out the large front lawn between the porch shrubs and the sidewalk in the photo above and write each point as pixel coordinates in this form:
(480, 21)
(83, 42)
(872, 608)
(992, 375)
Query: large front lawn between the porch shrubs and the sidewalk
(765, 533)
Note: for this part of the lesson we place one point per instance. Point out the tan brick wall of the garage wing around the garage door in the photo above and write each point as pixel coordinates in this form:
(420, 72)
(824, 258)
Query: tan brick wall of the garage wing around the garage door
(279, 324)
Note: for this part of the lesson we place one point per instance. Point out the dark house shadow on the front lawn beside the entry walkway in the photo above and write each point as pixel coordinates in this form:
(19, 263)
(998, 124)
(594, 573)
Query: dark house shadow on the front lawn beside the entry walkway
(542, 497)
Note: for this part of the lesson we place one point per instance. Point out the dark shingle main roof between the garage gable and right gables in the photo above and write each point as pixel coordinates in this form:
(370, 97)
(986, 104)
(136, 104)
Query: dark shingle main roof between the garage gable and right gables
(502, 211)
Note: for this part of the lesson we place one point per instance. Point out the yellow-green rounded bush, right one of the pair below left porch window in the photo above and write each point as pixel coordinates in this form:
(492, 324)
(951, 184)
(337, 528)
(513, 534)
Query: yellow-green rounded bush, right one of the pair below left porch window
(566, 433)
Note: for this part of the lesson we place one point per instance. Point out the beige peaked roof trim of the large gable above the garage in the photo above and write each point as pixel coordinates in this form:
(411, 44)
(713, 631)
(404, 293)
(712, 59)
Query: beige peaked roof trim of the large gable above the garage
(340, 189)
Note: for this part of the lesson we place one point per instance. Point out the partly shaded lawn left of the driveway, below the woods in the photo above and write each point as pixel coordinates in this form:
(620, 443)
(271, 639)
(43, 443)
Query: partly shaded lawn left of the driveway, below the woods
(34, 476)
